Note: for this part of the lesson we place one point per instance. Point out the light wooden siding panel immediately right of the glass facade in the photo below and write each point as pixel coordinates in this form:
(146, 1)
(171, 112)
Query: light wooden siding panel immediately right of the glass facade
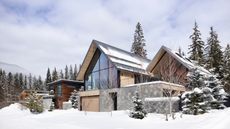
(126, 78)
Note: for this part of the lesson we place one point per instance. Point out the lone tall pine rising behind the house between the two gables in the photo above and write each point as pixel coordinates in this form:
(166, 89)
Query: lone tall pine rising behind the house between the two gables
(139, 42)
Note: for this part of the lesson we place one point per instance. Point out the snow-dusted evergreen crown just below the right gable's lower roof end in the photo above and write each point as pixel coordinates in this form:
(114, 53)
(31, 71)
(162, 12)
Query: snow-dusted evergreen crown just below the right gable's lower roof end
(195, 79)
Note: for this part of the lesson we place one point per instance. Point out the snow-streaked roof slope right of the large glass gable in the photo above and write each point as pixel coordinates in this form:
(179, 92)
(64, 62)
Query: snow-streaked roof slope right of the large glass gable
(123, 59)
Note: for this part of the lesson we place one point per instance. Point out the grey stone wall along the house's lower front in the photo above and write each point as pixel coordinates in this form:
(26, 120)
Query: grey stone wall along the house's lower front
(145, 90)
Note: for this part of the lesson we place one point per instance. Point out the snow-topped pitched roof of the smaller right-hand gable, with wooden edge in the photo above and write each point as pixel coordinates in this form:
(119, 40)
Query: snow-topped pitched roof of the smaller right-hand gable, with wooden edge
(189, 64)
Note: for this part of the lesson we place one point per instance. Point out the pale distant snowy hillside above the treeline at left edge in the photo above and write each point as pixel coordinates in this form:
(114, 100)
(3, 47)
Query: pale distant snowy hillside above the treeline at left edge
(13, 68)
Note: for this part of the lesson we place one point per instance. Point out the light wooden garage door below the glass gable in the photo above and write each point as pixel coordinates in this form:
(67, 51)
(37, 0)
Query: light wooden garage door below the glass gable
(90, 103)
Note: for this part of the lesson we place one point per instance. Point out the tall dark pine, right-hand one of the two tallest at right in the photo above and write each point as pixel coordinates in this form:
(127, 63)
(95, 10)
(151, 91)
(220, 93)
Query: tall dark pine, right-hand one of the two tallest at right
(214, 59)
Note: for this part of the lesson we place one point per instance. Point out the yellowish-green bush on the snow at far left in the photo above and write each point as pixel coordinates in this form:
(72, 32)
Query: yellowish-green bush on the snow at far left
(34, 103)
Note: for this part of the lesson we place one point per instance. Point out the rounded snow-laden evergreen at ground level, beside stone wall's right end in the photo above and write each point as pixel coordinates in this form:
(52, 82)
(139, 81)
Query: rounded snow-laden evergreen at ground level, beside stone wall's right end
(194, 102)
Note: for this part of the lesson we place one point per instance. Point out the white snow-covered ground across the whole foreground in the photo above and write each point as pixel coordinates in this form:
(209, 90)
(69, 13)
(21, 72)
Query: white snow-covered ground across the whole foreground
(13, 117)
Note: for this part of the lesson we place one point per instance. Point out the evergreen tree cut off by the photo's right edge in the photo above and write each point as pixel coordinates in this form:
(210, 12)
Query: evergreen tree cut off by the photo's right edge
(227, 69)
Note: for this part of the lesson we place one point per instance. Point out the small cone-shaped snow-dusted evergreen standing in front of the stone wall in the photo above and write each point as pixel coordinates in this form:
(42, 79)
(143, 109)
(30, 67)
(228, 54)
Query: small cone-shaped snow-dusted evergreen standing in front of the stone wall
(138, 111)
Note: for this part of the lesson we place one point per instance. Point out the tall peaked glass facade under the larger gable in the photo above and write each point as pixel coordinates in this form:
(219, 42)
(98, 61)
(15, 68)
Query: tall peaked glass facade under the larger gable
(101, 73)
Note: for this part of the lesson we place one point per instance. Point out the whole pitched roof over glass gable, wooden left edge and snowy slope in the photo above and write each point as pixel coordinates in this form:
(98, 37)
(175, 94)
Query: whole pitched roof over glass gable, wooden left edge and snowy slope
(120, 58)
